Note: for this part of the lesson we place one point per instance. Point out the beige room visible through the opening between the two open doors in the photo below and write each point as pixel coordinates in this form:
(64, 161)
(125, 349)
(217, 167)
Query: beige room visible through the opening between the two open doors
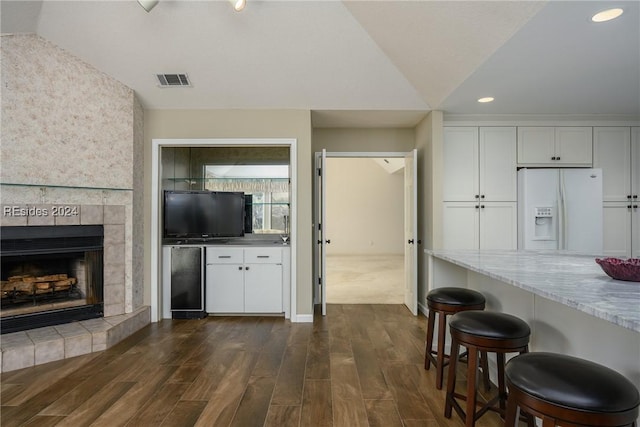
(364, 218)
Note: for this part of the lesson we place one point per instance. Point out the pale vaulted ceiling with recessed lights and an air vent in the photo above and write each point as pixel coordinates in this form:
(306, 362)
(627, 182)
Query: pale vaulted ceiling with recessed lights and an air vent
(381, 63)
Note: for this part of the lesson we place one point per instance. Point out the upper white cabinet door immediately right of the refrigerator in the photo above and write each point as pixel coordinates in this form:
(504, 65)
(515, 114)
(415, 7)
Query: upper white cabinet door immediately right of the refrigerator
(611, 153)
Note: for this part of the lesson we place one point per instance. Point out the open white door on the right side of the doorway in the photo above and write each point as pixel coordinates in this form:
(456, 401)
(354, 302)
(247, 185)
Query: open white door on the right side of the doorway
(411, 231)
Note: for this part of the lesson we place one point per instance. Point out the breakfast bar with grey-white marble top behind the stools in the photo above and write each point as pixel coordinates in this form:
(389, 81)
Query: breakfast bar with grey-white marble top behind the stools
(571, 305)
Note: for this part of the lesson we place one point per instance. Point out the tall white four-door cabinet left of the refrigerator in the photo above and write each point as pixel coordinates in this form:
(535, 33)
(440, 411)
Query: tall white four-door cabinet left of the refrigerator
(480, 188)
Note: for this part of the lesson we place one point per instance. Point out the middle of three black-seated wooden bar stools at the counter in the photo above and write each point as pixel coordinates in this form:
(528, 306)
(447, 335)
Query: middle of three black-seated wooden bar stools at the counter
(482, 331)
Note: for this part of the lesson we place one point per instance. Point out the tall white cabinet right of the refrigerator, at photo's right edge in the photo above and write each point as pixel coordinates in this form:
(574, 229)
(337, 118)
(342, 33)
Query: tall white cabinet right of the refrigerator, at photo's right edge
(617, 153)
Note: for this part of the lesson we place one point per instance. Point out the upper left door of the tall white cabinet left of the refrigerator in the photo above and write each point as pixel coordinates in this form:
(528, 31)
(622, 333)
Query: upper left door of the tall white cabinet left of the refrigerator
(460, 171)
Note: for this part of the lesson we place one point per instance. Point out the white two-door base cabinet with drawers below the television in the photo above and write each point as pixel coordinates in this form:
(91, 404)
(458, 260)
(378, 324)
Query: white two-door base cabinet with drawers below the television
(244, 280)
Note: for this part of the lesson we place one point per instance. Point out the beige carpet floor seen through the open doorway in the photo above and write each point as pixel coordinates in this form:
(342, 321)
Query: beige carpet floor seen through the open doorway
(365, 279)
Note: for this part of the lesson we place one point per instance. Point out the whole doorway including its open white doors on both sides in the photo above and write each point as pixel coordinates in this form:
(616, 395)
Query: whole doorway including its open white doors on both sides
(366, 241)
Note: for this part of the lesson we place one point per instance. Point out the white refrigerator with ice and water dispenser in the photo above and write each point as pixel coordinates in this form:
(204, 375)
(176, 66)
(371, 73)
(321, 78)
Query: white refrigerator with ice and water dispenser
(560, 209)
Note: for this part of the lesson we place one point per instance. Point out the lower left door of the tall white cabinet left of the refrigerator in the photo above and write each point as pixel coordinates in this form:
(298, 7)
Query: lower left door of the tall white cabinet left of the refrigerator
(460, 225)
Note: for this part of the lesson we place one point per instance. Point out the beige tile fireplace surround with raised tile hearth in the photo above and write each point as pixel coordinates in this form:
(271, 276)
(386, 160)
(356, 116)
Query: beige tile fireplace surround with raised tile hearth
(42, 345)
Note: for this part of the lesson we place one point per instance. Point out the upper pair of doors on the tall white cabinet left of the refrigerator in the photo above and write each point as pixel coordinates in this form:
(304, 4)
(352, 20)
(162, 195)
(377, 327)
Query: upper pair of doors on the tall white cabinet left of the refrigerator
(480, 164)
